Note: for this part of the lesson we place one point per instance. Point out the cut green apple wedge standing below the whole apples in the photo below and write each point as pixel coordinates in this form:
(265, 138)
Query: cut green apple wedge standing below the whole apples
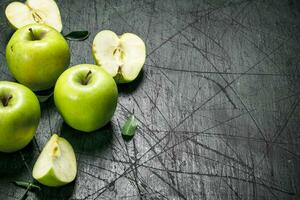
(56, 165)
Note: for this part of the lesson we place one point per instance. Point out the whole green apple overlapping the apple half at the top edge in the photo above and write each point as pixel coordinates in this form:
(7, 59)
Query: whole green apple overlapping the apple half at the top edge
(37, 63)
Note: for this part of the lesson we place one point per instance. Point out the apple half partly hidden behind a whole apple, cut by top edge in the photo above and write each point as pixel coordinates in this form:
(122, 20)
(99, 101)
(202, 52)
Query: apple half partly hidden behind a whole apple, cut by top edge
(34, 11)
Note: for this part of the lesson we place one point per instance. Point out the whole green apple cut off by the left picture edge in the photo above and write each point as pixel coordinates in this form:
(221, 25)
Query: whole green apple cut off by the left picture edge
(19, 119)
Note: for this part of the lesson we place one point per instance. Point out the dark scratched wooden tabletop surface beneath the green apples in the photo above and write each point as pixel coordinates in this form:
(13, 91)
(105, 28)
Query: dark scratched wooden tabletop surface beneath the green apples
(217, 104)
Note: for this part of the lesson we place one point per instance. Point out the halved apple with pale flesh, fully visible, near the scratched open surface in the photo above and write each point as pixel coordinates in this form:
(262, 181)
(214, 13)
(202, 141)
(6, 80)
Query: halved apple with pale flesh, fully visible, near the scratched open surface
(122, 57)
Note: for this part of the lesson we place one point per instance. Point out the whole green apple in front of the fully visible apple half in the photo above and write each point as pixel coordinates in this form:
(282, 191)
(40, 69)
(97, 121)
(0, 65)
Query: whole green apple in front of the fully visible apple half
(86, 97)
